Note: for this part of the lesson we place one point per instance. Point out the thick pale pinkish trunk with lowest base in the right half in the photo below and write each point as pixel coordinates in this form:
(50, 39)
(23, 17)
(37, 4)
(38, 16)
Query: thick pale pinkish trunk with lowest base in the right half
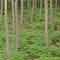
(46, 22)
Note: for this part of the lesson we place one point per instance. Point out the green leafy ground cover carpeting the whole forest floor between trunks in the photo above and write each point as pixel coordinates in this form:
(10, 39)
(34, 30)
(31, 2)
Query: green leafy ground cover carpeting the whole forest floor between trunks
(32, 39)
